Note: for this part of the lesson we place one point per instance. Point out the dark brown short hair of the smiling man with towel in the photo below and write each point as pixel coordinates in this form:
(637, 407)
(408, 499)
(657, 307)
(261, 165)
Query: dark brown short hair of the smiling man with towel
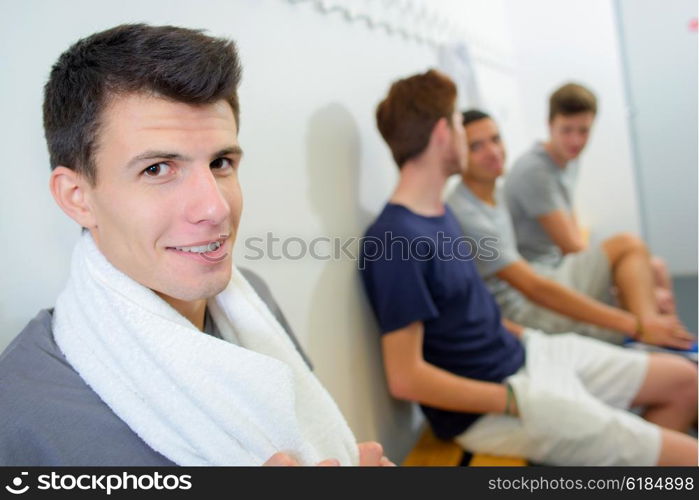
(176, 63)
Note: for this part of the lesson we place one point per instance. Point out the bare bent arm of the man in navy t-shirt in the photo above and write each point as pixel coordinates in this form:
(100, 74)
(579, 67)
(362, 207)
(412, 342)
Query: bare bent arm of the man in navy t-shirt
(411, 378)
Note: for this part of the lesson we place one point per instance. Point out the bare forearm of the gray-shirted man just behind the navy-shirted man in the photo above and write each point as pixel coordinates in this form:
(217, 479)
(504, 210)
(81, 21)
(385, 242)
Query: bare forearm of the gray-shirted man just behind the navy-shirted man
(561, 299)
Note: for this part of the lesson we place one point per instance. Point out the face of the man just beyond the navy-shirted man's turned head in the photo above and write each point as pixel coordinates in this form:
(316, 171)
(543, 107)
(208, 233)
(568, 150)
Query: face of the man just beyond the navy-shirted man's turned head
(486, 153)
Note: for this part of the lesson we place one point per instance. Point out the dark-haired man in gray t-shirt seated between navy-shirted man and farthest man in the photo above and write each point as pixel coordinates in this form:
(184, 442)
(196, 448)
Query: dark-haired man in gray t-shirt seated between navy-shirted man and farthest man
(548, 299)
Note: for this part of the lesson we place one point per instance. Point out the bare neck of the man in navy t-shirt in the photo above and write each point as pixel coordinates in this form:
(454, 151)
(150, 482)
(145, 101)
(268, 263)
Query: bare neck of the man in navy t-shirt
(420, 188)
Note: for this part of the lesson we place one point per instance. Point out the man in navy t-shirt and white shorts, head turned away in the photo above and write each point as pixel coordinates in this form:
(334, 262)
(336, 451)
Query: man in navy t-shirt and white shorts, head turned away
(565, 402)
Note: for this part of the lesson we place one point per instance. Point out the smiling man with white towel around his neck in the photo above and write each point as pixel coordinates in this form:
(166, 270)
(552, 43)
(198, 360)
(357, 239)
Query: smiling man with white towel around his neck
(142, 130)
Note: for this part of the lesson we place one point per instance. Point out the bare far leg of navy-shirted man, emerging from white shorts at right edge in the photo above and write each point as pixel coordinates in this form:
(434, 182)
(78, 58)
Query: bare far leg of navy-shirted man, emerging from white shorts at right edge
(669, 392)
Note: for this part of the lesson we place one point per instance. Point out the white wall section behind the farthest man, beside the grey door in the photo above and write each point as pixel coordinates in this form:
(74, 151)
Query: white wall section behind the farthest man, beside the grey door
(556, 41)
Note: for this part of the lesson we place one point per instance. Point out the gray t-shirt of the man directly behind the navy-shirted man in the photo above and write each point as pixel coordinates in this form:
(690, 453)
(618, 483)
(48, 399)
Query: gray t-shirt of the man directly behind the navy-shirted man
(491, 227)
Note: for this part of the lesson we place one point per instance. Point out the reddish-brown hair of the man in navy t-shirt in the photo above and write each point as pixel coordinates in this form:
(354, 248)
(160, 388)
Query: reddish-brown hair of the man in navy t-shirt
(414, 105)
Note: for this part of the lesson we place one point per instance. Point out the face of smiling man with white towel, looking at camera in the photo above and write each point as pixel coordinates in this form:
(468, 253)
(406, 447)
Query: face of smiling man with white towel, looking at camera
(167, 183)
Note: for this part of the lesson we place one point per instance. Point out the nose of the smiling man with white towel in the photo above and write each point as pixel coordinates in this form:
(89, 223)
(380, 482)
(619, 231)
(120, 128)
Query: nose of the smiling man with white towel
(205, 202)
